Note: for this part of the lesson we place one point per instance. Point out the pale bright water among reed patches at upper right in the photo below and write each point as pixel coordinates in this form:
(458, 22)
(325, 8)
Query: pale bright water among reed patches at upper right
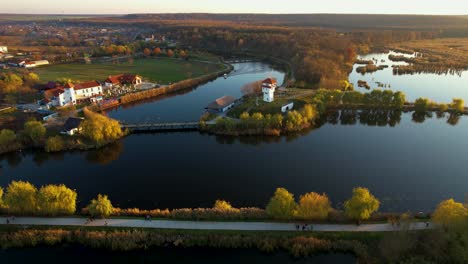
(439, 88)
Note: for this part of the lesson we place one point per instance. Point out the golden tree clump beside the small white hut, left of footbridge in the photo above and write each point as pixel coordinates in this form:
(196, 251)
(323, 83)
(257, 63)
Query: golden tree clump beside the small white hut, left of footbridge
(99, 128)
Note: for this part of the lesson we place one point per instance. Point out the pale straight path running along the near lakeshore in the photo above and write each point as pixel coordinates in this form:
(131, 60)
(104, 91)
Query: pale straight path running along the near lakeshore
(202, 225)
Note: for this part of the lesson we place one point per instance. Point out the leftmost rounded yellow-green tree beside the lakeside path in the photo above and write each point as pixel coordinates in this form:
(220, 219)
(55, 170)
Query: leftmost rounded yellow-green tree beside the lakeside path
(21, 198)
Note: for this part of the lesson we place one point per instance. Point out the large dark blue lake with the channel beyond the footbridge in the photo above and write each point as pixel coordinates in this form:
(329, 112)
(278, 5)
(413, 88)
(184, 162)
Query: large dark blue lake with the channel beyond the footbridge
(408, 163)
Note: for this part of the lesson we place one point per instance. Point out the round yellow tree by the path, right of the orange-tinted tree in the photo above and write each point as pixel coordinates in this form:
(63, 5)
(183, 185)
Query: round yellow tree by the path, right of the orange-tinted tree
(361, 205)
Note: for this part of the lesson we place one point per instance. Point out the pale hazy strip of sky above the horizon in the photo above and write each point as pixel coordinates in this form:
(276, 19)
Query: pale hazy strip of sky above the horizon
(443, 7)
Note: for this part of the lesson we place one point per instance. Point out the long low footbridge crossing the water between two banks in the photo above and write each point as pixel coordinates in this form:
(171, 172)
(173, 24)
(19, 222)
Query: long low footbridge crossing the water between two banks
(156, 127)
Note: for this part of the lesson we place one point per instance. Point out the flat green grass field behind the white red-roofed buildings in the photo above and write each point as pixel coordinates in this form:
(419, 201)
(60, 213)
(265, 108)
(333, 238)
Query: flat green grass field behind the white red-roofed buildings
(161, 70)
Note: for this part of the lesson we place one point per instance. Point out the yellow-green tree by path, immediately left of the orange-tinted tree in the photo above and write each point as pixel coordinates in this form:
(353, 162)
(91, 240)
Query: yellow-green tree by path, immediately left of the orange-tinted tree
(281, 205)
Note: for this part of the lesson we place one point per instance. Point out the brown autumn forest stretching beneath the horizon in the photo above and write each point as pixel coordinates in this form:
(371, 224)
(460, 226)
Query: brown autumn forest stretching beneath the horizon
(318, 49)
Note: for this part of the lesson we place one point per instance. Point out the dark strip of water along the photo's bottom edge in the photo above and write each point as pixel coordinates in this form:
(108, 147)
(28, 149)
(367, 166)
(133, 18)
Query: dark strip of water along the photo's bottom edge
(80, 255)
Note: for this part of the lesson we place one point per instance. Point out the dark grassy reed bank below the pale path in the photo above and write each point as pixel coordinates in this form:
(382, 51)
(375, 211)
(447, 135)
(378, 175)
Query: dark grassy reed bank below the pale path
(373, 247)
